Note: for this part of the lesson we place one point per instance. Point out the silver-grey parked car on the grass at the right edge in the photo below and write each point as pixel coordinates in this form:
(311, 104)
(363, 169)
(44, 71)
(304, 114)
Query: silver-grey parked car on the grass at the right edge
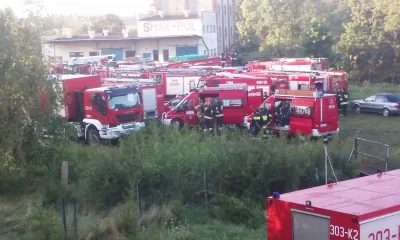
(383, 103)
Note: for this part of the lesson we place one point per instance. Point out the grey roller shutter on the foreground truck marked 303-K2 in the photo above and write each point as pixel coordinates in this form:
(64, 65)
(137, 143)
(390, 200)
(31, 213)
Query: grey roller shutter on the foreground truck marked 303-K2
(310, 226)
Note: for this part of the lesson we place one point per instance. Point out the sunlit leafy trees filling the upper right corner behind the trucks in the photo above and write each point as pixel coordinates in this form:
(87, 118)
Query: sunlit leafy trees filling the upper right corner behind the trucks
(360, 36)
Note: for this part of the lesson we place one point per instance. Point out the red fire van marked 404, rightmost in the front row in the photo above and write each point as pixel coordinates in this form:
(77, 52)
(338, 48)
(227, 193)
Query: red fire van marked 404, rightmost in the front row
(310, 113)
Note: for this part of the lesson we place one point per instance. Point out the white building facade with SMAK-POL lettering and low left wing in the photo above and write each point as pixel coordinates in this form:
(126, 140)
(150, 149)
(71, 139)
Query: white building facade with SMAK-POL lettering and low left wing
(159, 38)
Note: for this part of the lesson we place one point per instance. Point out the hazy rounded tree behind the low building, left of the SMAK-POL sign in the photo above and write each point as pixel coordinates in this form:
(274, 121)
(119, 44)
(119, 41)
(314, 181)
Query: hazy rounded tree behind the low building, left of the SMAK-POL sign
(109, 22)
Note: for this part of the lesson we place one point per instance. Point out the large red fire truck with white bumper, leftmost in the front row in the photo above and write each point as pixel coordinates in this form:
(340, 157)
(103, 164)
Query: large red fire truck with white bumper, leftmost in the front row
(100, 112)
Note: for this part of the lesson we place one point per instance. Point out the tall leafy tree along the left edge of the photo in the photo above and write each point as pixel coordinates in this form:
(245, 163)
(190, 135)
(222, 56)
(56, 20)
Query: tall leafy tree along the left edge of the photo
(23, 77)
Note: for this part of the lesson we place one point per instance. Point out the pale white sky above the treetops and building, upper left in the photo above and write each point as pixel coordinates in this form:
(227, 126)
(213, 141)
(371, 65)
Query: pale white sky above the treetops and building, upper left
(84, 7)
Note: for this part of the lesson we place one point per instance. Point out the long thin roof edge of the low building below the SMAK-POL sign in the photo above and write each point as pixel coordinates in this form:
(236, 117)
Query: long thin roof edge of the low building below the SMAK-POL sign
(86, 38)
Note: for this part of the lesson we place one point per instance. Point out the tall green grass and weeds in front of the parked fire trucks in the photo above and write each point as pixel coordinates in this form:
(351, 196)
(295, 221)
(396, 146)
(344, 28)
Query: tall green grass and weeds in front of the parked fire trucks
(225, 177)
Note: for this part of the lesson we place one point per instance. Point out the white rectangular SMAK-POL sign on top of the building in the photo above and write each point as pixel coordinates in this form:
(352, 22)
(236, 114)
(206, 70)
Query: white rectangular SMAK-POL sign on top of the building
(165, 28)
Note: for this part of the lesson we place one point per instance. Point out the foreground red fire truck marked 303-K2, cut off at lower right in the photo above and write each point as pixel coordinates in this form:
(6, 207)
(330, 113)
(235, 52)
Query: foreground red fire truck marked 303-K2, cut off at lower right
(365, 208)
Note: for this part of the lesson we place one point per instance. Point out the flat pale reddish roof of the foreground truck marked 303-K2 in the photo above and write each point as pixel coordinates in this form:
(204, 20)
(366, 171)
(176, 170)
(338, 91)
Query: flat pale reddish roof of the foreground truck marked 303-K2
(366, 197)
